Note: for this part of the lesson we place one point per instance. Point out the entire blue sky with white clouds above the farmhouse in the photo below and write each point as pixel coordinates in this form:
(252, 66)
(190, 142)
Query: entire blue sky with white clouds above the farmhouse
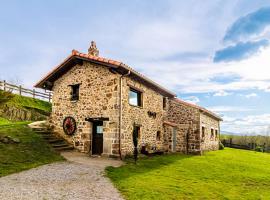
(212, 53)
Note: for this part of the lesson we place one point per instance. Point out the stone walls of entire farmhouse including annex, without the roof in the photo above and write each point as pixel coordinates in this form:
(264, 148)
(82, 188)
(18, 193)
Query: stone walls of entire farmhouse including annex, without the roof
(175, 126)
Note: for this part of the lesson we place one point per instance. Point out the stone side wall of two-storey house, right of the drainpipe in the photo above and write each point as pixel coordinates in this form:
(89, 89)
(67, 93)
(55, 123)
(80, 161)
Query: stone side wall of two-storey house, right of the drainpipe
(149, 125)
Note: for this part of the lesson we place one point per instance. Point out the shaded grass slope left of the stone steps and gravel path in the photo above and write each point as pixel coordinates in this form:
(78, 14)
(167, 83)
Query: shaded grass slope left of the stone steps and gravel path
(31, 152)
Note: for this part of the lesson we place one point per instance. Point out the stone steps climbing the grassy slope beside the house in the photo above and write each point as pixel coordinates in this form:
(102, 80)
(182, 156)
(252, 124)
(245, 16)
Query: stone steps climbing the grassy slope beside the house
(58, 143)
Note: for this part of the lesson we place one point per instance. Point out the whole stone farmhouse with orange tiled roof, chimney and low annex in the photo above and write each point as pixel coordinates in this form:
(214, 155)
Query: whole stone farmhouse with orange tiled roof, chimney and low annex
(99, 105)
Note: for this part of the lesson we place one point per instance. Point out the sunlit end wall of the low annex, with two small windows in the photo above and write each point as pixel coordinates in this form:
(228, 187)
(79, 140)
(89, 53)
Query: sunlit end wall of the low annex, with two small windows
(209, 142)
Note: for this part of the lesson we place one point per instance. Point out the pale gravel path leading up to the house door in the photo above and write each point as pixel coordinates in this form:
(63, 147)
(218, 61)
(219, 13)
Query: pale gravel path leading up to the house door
(81, 178)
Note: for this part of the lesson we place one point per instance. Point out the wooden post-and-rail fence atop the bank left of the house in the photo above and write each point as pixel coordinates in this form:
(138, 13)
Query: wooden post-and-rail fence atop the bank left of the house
(25, 92)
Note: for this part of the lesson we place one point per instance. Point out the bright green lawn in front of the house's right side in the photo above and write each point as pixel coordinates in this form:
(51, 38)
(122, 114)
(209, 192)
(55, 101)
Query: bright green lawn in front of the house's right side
(225, 174)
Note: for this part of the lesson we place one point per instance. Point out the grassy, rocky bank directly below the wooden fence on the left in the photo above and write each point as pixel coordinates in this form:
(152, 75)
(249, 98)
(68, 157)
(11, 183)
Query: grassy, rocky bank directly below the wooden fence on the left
(19, 108)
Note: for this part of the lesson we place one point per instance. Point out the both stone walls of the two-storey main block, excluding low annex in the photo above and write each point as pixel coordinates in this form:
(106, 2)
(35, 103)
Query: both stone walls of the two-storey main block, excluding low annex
(99, 97)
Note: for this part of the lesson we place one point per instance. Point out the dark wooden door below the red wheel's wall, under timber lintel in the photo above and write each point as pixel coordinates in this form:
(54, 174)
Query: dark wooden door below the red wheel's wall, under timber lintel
(97, 142)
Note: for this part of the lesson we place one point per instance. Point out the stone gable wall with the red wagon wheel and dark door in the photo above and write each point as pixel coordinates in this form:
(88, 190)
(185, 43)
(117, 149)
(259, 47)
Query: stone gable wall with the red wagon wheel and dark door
(99, 91)
